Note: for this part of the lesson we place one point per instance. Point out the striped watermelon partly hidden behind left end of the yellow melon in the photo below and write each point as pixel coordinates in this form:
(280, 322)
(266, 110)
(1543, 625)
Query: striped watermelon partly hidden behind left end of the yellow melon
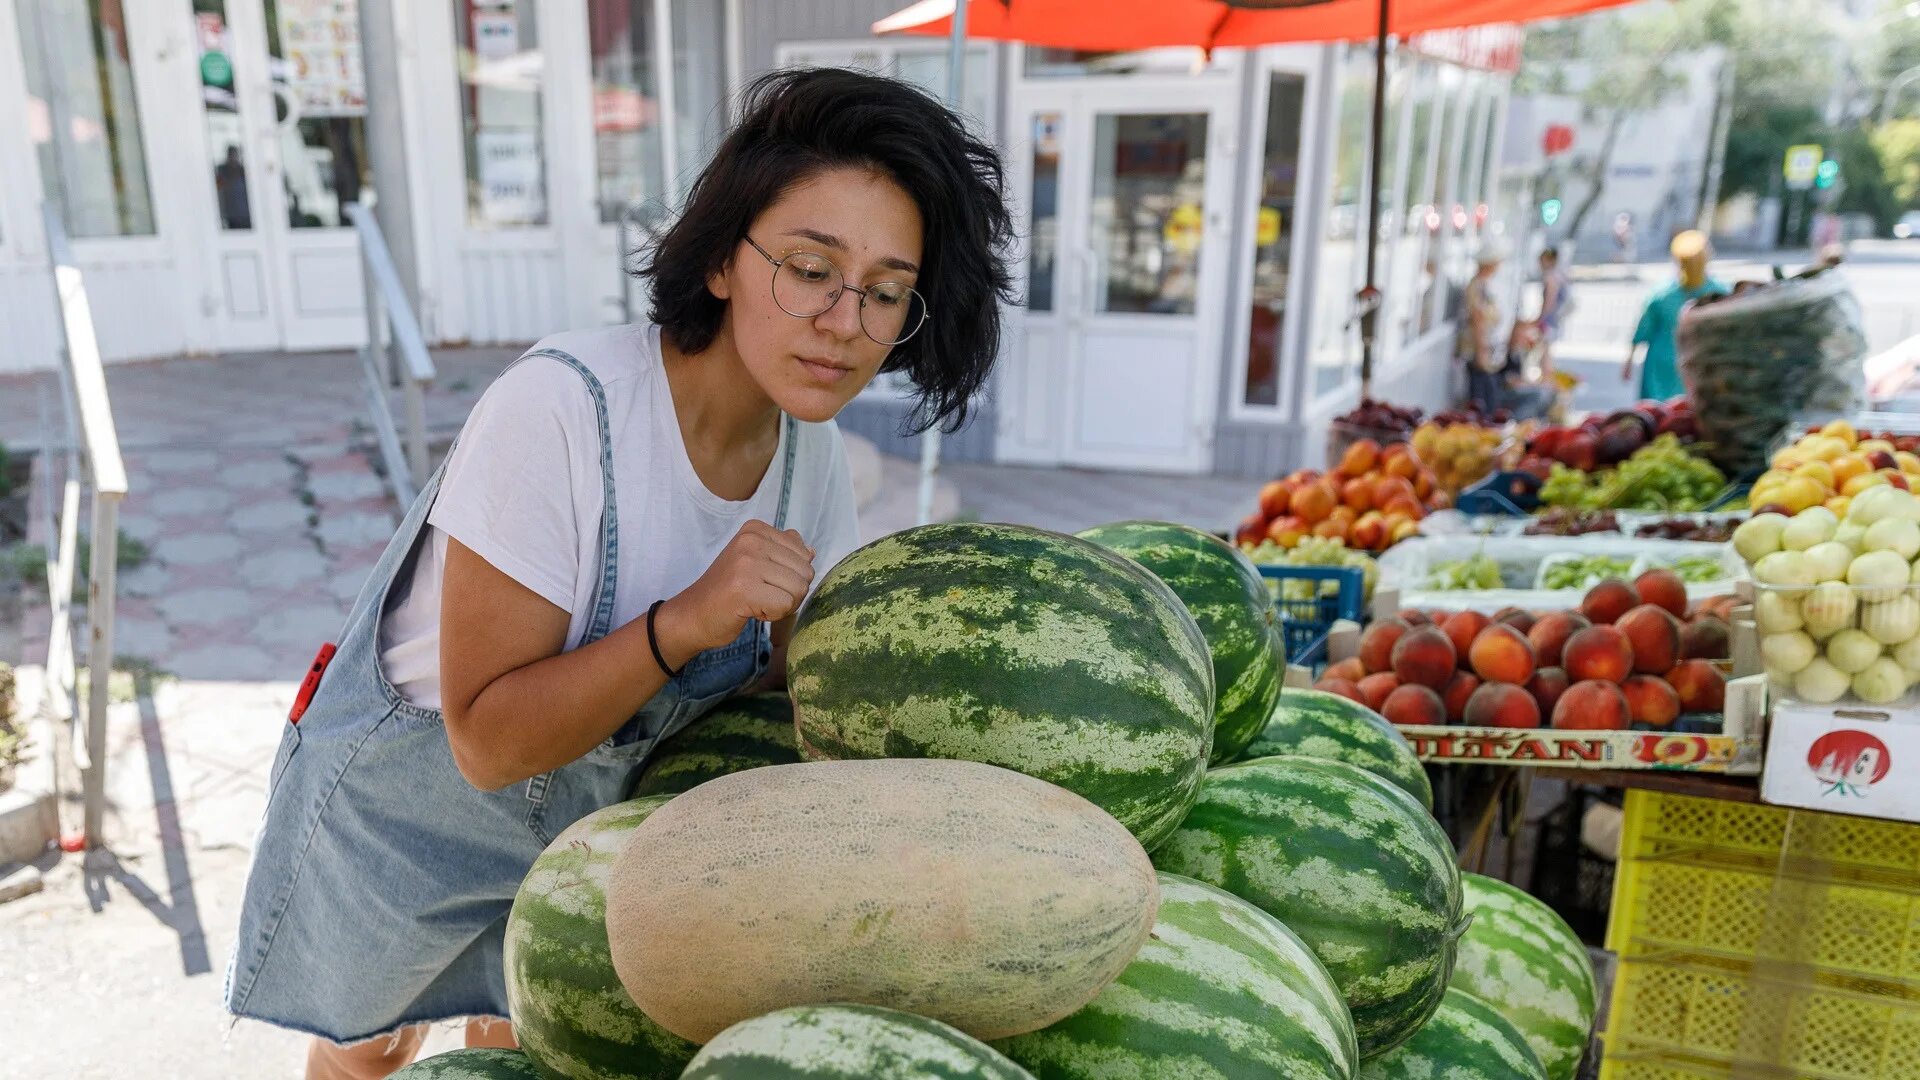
(567, 1004)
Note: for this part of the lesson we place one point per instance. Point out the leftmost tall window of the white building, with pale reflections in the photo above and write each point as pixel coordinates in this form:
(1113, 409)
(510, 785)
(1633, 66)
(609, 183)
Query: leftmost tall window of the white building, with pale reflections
(84, 118)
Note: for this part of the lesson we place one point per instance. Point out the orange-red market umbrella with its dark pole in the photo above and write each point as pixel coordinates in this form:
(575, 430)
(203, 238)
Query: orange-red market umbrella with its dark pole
(1116, 26)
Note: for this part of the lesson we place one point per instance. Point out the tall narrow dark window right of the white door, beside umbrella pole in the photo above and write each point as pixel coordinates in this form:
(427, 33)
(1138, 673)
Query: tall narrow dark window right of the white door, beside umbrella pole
(1274, 239)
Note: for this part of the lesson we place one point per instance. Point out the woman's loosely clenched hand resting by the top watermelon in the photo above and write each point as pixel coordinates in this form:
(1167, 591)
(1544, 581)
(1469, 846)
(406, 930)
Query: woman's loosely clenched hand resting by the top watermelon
(763, 574)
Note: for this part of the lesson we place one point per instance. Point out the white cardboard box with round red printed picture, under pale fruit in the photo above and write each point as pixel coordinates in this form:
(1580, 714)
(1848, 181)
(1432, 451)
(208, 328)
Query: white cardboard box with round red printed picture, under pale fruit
(1846, 760)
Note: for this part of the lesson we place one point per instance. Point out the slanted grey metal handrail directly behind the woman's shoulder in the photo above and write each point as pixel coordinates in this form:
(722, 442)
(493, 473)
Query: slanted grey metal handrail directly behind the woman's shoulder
(393, 330)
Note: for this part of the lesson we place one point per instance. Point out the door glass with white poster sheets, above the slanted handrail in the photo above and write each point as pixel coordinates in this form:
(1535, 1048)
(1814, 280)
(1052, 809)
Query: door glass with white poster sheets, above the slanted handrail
(320, 91)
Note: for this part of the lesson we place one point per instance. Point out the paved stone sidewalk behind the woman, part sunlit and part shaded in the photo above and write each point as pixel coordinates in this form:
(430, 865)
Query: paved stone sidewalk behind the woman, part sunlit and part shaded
(254, 487)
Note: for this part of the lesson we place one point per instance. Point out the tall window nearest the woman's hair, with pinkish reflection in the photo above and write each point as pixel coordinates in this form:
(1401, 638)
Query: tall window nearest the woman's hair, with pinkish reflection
(631, 164)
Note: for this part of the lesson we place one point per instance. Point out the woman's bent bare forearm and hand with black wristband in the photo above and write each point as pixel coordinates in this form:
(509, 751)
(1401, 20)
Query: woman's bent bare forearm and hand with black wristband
(517, 706)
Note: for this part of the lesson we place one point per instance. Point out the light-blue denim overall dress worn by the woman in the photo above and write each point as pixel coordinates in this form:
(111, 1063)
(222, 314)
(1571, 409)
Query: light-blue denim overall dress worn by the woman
(381, 877)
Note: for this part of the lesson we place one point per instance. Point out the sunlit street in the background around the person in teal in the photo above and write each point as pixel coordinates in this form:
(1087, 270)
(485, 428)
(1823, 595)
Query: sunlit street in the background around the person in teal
(1608, 299)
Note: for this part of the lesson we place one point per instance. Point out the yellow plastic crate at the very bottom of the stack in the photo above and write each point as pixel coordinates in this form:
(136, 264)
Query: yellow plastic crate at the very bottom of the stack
(1721, 1019)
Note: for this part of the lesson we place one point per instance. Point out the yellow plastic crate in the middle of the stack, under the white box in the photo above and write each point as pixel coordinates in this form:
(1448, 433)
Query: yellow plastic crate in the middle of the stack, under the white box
(1742, 914)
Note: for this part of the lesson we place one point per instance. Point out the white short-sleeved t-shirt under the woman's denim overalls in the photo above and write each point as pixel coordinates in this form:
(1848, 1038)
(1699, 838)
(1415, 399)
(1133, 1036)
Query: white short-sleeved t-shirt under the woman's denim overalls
(525, 489)
